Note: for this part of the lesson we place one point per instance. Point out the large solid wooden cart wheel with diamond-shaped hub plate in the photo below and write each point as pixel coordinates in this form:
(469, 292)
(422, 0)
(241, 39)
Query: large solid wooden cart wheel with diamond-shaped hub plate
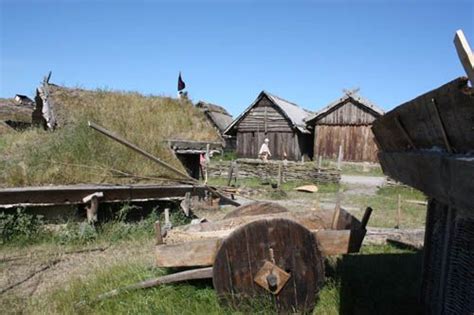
(276, 258)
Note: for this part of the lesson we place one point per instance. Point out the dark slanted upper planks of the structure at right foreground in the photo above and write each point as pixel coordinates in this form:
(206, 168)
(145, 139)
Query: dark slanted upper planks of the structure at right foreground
(455, 103)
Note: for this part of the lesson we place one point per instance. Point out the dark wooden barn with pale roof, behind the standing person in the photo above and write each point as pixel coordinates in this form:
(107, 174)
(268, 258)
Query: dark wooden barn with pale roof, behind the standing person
(279, 120)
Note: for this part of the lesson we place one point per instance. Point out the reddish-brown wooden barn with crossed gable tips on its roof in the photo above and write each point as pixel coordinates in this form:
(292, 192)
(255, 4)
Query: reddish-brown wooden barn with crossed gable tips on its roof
(345, 122)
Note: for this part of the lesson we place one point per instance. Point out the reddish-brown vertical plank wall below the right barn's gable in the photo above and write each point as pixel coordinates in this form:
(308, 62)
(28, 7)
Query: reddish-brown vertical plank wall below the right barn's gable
(357, 141)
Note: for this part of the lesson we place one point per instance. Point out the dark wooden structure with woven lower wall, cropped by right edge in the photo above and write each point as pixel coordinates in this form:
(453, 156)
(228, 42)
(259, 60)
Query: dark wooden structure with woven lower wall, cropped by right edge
(428, 143)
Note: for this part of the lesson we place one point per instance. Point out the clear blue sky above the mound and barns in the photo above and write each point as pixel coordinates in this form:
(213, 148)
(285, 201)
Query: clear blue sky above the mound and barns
(304, 51)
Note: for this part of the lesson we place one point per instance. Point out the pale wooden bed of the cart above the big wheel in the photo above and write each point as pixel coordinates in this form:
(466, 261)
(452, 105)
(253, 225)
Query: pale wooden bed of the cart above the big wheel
(196, 245)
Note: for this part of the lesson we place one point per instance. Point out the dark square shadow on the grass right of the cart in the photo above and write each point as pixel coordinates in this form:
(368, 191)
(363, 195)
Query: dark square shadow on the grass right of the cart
(379, 283)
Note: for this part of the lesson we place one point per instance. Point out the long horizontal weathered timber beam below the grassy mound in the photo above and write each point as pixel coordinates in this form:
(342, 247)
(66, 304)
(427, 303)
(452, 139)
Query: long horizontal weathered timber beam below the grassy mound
(73, 194)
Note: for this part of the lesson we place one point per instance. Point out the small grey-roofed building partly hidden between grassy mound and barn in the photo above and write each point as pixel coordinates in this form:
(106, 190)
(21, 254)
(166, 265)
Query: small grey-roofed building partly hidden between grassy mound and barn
(220, 119)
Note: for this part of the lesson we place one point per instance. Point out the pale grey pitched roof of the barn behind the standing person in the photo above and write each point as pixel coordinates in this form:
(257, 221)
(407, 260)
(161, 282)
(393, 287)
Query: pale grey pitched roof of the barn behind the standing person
(294, 113)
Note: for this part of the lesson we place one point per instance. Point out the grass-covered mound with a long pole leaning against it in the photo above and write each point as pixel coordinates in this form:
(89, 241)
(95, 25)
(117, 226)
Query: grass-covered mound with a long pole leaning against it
(74, 153)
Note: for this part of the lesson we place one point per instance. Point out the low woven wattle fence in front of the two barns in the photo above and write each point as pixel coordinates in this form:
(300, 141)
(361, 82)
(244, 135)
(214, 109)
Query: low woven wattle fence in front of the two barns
(256, 168)
